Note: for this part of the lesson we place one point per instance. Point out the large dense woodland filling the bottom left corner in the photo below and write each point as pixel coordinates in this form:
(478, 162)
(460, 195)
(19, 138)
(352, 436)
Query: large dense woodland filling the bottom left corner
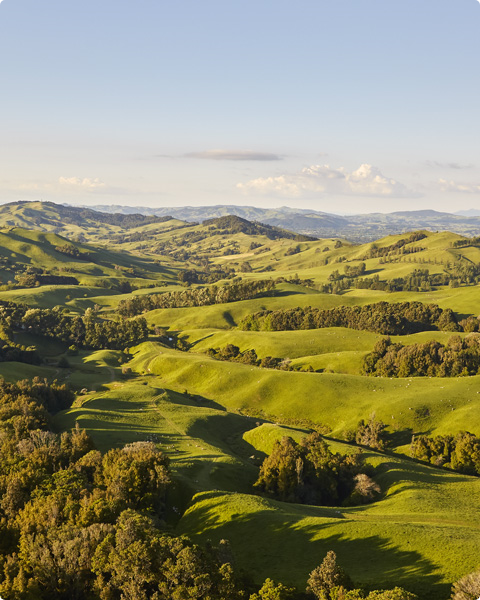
(76, 525)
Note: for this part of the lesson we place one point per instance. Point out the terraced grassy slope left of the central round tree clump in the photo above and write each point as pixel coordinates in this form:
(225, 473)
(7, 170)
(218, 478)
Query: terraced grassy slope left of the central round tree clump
(203, 441)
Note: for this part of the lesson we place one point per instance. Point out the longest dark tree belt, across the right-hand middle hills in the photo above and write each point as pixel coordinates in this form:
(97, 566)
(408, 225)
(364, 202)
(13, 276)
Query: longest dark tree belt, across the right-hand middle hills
(383, 317)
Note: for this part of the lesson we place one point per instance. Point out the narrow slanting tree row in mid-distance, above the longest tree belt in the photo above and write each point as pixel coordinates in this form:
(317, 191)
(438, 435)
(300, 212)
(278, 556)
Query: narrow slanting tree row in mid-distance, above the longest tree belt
(241, 290)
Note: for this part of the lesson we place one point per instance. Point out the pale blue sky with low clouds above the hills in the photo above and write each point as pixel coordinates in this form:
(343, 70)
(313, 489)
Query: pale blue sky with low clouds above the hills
(343, 107)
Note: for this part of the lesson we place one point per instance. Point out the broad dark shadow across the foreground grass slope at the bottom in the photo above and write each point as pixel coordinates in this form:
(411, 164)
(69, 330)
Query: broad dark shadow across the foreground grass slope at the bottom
(281, 542)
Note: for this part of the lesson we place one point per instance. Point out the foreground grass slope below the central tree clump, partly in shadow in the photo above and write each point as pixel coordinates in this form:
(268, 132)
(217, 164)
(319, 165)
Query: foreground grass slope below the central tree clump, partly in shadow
(423, 535)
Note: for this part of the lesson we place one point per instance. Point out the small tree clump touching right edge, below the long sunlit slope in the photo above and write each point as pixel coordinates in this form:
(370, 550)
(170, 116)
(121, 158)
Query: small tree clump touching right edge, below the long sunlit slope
(459, 453)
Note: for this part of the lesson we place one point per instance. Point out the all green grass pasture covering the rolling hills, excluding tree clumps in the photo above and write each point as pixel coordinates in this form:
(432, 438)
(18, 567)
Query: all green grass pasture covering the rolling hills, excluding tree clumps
(217, 420)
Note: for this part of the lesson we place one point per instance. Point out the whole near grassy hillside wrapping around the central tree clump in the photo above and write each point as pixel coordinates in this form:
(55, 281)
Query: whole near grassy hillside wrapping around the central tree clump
(399, 540)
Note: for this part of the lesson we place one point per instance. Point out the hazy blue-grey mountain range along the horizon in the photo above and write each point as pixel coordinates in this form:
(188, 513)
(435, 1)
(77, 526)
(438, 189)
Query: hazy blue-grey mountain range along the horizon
(357, 228)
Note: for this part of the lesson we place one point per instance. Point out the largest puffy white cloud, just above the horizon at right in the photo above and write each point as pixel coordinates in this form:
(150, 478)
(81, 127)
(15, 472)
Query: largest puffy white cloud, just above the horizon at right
(367, 180)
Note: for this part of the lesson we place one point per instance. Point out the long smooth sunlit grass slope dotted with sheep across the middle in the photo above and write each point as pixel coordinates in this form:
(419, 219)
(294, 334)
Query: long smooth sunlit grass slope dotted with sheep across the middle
(336, 400)
